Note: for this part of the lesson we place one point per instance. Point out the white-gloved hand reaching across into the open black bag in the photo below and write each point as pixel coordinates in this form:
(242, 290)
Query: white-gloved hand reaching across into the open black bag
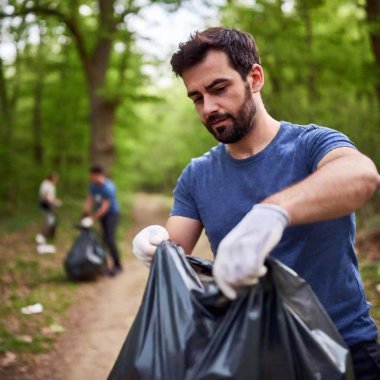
(242, 252)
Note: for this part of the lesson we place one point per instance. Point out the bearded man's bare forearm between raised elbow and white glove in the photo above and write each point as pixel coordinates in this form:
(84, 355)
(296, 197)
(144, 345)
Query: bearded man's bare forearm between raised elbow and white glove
(336, 189)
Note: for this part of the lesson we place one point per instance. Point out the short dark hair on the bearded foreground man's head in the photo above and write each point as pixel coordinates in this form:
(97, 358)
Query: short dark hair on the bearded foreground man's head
(240, 48)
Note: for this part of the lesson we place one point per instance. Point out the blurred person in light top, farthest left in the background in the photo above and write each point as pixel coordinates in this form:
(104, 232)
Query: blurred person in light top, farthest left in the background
(48, 201)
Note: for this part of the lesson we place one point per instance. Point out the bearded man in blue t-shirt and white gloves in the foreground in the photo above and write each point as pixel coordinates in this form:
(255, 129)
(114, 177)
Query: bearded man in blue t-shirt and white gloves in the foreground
(270, 187)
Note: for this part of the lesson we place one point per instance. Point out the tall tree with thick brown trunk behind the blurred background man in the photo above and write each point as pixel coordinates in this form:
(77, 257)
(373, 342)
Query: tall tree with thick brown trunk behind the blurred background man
(94, 35)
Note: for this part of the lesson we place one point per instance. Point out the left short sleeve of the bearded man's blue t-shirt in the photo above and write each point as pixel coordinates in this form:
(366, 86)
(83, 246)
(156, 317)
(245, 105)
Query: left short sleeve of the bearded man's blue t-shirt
(184, 203)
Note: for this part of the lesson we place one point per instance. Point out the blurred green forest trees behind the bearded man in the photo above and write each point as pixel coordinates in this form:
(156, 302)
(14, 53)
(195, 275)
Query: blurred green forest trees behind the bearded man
(74, 91)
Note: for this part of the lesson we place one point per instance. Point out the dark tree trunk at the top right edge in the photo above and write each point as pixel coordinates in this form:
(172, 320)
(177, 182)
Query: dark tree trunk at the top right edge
(373, 17)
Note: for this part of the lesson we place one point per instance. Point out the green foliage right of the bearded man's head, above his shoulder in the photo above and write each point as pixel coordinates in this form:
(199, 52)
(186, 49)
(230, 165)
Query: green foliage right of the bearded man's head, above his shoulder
(318, 63)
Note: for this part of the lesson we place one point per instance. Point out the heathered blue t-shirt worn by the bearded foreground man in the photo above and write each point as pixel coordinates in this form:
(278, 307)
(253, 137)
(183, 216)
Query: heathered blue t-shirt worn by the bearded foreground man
(219, 190)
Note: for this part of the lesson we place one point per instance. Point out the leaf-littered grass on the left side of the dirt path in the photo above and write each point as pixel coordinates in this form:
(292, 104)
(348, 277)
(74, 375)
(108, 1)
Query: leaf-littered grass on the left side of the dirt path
(27, 278)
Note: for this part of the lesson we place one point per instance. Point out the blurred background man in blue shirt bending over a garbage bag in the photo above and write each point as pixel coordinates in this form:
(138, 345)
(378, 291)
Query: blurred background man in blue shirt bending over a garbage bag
(101, 203)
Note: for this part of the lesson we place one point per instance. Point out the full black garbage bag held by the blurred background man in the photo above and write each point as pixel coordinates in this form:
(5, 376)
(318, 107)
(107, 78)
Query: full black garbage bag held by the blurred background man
(86, 259)
